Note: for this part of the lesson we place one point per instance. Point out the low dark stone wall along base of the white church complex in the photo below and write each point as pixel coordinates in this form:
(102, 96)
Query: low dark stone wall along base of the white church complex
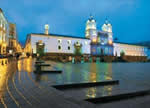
(86, 58)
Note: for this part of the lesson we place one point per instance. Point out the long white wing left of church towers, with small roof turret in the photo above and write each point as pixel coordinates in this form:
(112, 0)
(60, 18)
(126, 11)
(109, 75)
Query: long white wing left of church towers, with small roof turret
(56, 44)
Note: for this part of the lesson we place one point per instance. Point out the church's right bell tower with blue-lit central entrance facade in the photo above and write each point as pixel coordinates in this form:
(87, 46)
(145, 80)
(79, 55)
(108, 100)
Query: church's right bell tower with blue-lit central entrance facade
(103, 42)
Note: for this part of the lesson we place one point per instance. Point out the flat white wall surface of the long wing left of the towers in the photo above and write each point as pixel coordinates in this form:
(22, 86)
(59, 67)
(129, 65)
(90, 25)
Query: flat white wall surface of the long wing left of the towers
(51, 44)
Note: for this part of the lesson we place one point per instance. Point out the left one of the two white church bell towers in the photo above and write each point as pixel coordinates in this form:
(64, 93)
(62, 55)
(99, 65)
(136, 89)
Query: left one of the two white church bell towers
(91, 29)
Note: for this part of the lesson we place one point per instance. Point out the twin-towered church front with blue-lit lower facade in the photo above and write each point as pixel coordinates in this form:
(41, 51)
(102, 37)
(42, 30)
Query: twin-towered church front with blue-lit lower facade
(101, 40)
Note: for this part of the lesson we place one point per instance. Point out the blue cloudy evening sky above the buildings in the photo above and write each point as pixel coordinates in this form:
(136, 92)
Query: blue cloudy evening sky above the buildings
(130, 19)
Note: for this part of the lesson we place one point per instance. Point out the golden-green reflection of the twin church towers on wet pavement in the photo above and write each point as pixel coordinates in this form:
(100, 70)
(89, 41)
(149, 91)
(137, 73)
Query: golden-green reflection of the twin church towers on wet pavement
(95, 75)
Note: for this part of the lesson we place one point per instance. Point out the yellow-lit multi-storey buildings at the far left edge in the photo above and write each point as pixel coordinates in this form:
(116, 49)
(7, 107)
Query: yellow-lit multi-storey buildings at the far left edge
(8, 36)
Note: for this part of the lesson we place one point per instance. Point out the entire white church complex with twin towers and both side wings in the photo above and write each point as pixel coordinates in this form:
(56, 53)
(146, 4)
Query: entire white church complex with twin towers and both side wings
(95, 43)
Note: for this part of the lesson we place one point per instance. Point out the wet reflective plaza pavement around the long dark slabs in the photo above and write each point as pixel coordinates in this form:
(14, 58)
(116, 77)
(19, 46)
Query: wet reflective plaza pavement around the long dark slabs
(20, 87)
